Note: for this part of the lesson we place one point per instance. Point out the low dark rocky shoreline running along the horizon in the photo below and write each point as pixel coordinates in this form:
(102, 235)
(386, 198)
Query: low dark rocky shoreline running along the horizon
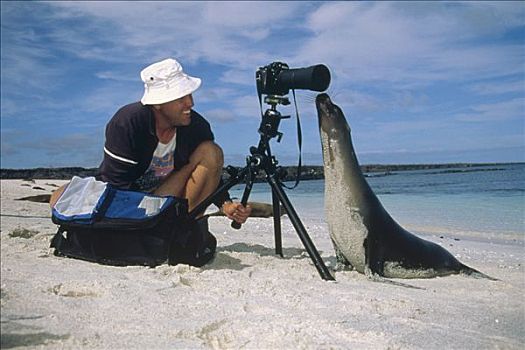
(308, 172)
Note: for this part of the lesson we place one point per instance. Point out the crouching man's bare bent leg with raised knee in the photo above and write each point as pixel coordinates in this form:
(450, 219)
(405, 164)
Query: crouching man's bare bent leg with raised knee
(198, 179)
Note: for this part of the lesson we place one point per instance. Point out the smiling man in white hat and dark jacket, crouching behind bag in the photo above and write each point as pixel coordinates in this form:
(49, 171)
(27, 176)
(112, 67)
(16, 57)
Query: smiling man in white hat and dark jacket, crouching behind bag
(161, 145)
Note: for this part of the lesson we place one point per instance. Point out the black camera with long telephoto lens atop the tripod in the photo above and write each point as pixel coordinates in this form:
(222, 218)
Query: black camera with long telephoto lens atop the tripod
(277, 78)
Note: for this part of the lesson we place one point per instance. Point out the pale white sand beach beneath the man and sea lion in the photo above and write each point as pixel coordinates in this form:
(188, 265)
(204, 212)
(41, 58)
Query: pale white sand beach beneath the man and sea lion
(247, 298)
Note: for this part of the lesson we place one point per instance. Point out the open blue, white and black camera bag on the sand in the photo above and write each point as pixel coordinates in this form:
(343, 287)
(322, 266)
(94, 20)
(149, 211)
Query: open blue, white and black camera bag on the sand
(100, 223)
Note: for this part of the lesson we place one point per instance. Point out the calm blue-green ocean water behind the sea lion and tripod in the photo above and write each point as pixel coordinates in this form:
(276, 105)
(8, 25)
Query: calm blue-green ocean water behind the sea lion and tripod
(483, 202)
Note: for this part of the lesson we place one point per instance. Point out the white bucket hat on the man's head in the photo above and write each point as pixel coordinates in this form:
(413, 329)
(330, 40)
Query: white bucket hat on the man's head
(165, 81)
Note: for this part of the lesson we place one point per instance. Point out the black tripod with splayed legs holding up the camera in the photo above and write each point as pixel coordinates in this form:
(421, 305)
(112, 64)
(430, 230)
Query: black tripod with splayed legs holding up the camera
(261, 158)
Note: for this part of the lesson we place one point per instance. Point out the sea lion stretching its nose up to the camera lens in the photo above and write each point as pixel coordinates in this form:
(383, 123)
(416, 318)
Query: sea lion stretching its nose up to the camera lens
(364, 235)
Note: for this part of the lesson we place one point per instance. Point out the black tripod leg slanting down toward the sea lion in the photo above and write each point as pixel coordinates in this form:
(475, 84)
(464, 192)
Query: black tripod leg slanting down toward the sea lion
(301, 231)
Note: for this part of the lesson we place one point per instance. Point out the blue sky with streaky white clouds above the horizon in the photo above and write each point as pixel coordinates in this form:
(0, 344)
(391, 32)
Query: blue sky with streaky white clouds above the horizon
(419, 82)
